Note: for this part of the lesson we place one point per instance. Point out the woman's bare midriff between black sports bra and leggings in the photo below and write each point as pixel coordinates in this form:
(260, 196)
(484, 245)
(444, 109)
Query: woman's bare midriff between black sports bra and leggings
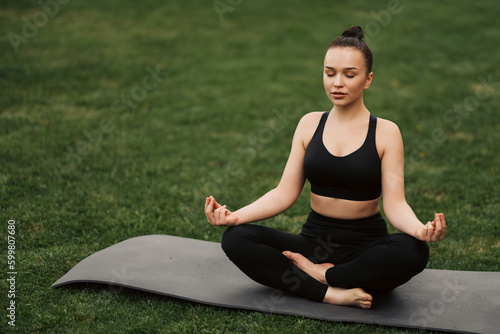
(342, 208)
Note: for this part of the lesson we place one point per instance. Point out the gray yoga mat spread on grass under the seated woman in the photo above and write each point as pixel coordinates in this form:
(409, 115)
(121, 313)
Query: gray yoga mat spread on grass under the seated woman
(195, 270)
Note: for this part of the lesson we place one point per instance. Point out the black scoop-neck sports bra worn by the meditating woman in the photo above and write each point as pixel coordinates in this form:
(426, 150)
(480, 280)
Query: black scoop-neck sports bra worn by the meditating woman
(356, 176)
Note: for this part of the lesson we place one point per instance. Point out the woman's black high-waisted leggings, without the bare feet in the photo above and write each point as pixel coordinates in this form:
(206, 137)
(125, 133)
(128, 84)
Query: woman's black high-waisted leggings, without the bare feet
(370, 258)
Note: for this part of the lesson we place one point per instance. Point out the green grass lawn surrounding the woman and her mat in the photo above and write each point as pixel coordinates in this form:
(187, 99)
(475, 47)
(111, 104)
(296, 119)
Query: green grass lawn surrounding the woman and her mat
(211, 127)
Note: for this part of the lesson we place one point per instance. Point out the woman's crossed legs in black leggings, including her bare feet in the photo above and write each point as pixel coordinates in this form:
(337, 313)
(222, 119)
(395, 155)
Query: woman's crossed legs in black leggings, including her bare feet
(264, 255)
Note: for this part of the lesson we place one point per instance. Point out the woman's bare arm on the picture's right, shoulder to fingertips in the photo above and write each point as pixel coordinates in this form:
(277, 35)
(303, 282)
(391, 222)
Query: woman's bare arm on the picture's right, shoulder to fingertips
(397, 210)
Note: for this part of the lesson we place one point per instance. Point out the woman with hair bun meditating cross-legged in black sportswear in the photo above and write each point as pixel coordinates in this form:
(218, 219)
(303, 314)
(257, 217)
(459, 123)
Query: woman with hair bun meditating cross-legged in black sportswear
(344, 253)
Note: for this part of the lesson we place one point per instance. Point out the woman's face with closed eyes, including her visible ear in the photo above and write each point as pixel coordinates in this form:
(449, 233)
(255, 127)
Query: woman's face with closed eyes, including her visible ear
(345, 77)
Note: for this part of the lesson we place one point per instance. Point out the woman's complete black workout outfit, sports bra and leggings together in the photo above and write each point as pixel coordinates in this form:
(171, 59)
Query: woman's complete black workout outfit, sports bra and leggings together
(364, 254)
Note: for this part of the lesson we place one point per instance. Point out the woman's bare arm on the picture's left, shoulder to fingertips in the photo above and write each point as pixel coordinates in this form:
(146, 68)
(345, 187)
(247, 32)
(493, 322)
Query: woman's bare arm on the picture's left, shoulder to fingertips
(278, 199)
